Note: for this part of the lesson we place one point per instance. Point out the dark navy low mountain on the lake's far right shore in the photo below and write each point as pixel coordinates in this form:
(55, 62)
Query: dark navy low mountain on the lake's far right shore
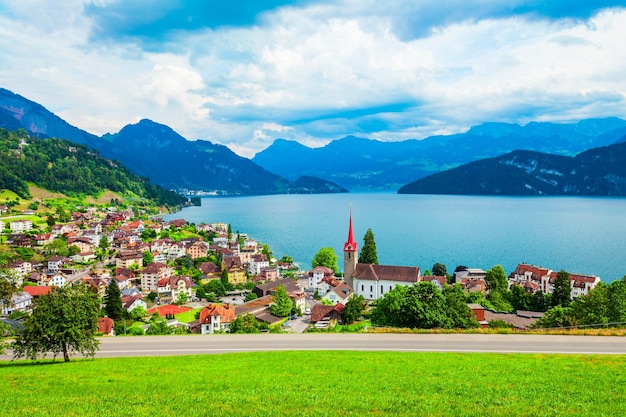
(596, 172)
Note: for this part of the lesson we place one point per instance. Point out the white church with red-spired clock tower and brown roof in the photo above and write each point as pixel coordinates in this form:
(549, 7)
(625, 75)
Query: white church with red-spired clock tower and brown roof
(370, 280)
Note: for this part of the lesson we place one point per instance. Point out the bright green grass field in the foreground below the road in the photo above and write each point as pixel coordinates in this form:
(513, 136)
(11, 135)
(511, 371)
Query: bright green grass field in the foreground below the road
(319, 383)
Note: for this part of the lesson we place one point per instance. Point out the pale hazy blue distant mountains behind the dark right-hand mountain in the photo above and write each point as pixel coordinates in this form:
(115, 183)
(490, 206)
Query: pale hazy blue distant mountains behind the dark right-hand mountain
(358, 163)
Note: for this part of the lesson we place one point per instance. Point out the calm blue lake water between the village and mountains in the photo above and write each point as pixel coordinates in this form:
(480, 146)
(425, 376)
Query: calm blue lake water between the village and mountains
(579, 235)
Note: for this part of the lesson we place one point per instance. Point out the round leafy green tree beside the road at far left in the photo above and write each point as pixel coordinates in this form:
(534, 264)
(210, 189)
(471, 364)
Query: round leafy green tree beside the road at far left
(63, 321)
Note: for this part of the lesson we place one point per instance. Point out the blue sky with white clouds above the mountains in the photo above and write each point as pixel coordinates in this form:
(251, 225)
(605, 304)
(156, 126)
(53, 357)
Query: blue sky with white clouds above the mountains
(243, 73)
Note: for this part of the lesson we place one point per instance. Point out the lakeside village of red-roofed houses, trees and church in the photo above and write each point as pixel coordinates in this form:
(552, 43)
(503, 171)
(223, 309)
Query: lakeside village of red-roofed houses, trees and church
(176, 277)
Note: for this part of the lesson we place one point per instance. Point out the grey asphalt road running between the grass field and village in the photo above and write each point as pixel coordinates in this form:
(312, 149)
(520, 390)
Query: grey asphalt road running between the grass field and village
(209, 344)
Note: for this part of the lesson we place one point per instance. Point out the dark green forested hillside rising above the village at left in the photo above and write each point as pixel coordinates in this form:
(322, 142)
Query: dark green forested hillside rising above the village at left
(72, 169)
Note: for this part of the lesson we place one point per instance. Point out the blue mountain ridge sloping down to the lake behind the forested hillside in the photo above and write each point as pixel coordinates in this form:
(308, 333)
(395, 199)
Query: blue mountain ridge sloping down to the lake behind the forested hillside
(160, 154)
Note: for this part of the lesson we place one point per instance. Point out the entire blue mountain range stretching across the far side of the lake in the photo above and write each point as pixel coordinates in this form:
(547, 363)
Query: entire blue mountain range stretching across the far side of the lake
(159, 153)
